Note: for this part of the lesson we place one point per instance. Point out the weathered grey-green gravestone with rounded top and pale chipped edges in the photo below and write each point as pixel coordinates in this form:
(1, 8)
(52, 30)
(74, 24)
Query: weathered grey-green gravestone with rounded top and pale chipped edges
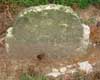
(53, 30)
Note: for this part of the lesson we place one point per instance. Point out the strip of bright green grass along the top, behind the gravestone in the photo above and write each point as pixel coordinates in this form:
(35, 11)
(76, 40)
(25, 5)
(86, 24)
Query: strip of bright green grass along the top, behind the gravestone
(80, 3)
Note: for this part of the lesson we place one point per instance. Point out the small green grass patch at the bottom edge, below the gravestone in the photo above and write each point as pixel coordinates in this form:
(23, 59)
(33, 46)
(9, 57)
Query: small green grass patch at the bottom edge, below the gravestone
(28, 77)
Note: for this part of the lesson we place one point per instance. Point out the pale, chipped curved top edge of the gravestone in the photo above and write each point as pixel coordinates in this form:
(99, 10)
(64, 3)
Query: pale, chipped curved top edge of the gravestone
(40, 8)
